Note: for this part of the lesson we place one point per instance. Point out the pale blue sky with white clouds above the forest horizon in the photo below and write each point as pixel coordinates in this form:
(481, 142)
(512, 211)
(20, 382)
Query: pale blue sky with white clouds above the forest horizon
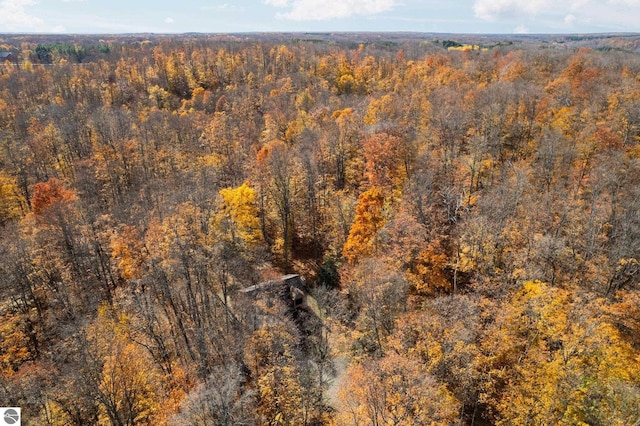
(229, 16)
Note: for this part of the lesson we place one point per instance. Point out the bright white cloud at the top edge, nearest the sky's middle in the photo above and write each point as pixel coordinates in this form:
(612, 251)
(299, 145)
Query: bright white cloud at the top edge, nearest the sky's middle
(318, 10)
